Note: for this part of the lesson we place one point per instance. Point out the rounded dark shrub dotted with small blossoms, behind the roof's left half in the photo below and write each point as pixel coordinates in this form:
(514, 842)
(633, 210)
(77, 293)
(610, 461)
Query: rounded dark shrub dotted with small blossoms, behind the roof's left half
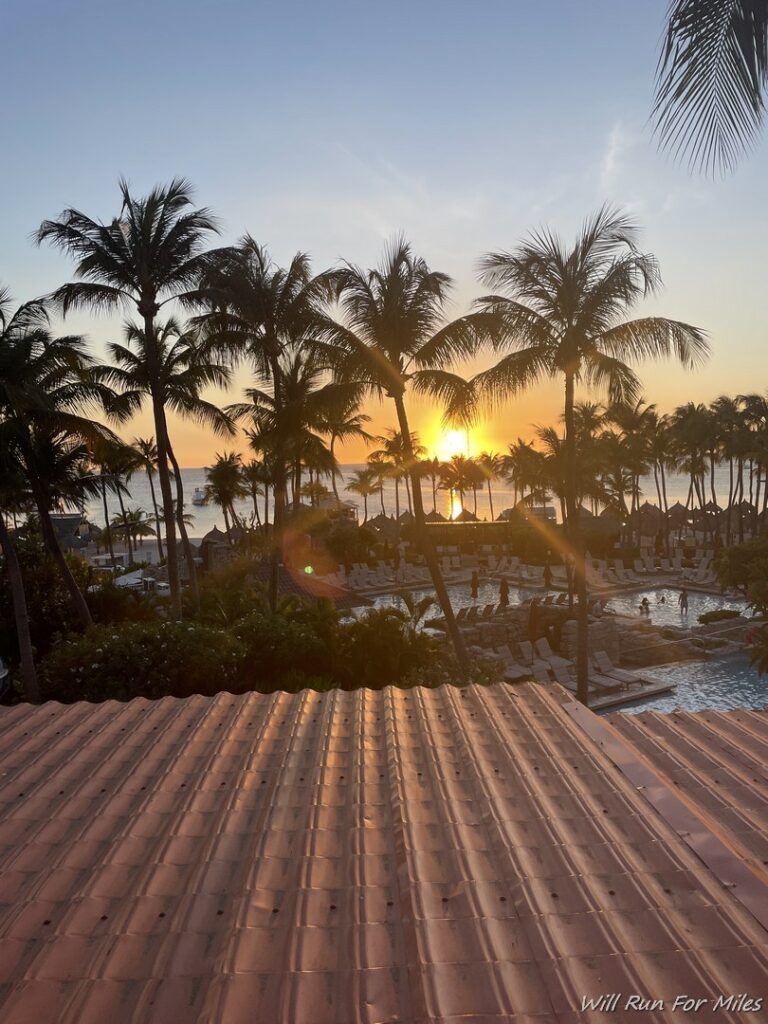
(150, 660)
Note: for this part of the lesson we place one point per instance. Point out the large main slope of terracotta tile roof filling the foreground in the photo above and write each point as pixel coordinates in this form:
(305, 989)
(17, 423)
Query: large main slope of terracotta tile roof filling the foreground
(373, 857)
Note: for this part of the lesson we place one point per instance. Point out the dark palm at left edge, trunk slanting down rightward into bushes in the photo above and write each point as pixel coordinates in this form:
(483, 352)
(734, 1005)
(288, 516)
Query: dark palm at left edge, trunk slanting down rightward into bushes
(47, 383)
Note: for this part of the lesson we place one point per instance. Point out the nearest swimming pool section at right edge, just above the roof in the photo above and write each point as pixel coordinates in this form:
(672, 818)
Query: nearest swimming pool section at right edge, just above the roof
(722, 684)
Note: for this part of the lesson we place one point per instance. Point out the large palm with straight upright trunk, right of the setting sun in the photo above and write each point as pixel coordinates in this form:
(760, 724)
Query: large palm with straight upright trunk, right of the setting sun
(564, 316)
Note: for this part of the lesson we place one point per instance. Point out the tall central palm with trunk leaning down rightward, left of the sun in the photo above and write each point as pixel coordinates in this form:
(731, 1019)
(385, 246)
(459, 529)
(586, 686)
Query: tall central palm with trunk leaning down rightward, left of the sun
(394, 337)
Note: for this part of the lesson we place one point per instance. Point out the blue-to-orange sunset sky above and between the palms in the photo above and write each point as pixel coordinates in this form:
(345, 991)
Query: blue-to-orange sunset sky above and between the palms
(330, 129)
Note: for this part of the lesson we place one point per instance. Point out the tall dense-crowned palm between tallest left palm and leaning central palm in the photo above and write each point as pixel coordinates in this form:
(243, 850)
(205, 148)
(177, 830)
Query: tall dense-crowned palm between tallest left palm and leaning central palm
(260, 312)
